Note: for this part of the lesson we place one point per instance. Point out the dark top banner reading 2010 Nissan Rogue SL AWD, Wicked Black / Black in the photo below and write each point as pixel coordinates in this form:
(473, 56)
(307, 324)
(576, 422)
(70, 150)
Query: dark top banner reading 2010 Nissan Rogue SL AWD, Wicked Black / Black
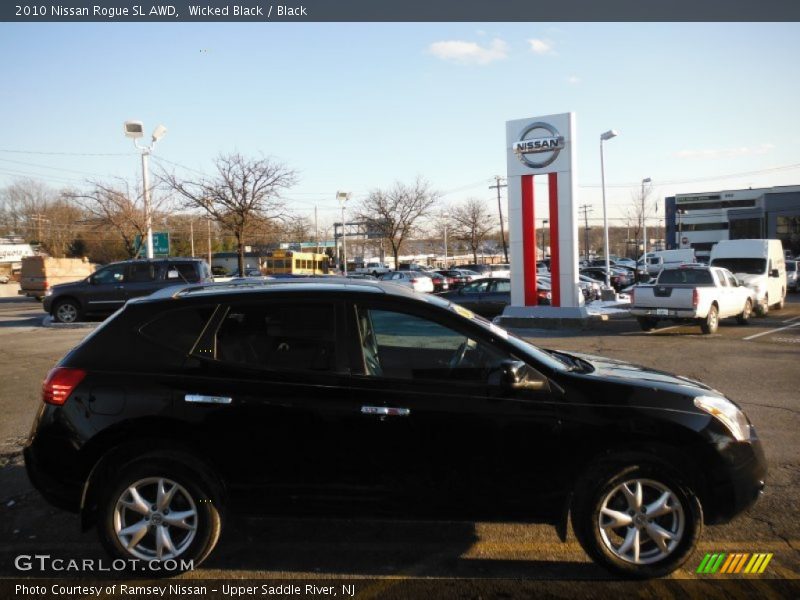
(403, 10)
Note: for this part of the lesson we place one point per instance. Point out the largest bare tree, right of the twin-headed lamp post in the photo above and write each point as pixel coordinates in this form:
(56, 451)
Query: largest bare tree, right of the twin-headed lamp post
(242, 191)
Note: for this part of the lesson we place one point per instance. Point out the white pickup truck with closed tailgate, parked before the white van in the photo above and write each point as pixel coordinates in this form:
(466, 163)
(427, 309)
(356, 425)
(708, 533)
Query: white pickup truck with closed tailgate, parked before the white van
(694, 293)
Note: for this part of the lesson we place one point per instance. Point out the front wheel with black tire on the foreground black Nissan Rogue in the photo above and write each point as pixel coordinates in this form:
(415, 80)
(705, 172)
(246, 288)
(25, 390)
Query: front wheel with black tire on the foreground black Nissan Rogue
(601, 488)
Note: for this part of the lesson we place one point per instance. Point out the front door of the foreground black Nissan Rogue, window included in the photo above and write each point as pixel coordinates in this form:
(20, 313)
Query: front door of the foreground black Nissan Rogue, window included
(445, 437)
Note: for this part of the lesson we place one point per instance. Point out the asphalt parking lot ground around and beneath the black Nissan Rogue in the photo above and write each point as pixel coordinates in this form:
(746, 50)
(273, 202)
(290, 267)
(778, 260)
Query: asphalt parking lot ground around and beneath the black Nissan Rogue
(755, 365)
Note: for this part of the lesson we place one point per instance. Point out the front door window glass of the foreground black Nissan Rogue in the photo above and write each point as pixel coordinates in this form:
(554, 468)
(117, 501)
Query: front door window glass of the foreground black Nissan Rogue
(405, 346)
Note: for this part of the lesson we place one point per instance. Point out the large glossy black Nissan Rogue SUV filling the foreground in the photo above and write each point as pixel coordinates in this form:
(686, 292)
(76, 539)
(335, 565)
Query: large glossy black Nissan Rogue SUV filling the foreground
(360, 399)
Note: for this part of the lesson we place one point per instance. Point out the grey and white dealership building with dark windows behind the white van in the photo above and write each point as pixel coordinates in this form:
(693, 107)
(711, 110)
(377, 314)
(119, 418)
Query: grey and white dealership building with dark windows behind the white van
(700, 220)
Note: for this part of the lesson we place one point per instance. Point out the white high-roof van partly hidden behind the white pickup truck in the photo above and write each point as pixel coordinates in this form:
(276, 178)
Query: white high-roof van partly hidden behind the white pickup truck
(758, 264)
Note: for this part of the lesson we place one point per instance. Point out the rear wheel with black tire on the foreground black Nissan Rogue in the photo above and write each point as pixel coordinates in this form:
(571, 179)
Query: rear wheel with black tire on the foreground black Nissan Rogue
(196, 493)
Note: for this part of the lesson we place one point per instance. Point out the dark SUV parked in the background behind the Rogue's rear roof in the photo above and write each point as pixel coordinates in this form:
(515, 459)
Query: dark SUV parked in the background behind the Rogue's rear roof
(105, 290)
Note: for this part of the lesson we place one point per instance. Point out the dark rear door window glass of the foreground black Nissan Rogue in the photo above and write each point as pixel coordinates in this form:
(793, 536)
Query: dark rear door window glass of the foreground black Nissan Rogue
(279, 337)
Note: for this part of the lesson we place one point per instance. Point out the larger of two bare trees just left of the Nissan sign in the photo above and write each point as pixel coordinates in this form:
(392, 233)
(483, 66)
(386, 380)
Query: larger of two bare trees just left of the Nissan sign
(395, 213)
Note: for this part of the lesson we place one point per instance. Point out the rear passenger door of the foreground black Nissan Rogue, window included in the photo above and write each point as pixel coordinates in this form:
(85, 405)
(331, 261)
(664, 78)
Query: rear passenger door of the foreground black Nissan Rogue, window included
(268, 382)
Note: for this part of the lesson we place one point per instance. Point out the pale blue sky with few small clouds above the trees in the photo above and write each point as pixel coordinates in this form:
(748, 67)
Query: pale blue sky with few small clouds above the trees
(358, 106)
